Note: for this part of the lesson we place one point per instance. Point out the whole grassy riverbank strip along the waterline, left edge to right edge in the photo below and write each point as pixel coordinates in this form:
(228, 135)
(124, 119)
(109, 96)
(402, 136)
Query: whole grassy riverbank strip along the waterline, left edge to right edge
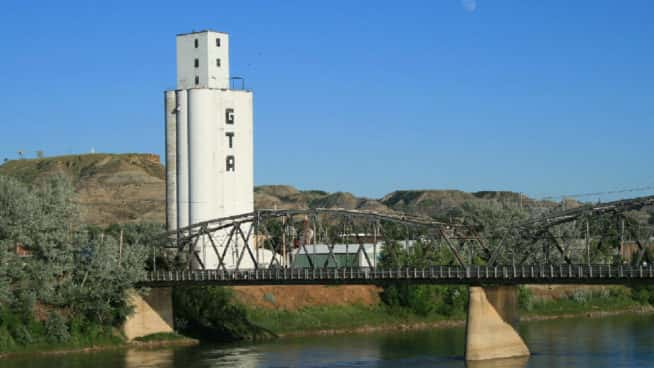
(247, 322)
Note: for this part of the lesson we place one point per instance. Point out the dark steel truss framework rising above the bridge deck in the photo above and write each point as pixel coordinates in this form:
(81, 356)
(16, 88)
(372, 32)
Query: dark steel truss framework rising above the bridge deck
(327, 239)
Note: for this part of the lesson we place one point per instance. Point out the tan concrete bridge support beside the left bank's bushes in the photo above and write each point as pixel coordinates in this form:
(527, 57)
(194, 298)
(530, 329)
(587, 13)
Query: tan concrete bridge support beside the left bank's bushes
(153, 313)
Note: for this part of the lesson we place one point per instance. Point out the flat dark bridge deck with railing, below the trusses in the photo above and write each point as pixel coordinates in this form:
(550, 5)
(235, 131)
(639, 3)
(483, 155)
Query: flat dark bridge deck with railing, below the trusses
(474, 275)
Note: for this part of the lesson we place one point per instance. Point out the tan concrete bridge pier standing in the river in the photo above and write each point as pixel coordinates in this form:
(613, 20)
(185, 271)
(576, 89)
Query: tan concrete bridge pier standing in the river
(490, 327)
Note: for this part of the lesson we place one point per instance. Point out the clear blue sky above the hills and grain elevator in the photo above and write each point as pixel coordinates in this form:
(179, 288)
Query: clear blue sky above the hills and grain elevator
(542, 97)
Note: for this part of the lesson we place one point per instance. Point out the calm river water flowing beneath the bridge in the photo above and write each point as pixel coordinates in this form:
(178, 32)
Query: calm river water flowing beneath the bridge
(617, 341)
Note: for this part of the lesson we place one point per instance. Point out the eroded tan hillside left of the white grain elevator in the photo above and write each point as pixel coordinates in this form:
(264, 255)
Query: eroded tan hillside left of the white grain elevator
(110, 188)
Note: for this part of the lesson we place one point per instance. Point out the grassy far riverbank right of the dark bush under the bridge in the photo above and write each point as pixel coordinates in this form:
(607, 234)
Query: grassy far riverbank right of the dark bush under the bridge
(329, 320)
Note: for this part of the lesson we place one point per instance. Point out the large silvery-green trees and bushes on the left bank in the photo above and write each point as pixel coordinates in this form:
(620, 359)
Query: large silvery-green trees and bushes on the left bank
(62, 284)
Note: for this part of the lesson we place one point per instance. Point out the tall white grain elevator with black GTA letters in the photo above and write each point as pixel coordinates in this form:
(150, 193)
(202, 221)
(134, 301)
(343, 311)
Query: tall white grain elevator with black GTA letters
(209, 146)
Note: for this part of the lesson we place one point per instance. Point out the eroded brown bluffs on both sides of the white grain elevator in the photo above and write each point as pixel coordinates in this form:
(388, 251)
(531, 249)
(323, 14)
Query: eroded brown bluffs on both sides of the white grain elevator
(121, 188)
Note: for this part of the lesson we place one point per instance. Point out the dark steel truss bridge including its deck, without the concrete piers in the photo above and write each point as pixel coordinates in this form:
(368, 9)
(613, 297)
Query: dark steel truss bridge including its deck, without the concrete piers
(594, 243)
